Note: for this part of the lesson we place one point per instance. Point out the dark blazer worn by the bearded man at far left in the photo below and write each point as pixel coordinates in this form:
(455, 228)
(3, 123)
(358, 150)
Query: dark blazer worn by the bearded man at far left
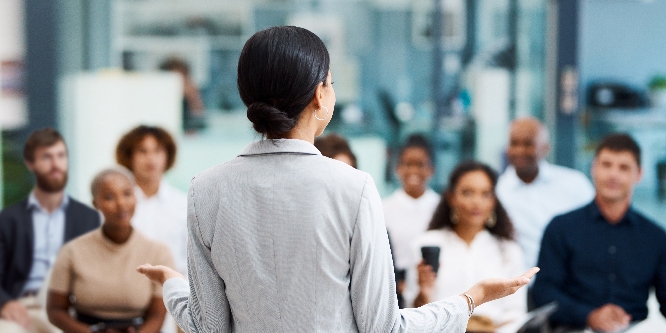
(17, 242)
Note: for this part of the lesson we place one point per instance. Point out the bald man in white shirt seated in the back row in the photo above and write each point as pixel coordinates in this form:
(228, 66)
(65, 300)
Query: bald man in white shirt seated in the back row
(534, 191)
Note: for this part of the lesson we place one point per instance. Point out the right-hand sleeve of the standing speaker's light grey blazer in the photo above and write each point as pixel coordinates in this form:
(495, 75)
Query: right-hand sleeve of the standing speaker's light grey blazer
(373, 296)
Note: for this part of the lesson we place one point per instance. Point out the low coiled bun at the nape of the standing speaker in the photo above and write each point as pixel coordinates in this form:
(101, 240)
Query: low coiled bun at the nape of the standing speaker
(269, 120)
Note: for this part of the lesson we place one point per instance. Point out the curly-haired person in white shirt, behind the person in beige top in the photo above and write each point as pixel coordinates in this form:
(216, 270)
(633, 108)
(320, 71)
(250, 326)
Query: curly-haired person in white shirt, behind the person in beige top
(161, 210)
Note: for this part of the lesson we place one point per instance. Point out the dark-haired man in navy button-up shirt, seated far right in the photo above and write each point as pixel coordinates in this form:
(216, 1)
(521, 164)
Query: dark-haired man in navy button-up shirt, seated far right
(600, 261)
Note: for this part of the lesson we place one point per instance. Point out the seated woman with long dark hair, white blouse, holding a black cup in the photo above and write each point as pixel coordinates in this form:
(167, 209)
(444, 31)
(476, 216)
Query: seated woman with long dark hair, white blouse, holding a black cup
(475, 237)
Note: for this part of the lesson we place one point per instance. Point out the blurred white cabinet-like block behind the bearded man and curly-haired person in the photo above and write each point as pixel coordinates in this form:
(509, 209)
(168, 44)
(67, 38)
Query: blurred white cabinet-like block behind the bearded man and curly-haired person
(98, 108)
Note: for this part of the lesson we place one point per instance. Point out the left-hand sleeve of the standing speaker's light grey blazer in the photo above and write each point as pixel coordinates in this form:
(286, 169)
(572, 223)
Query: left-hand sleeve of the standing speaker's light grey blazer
(204, 307)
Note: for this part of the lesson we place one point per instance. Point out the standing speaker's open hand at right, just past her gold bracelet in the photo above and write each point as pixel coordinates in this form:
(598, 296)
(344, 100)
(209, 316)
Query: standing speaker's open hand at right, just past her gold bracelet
(492, 289)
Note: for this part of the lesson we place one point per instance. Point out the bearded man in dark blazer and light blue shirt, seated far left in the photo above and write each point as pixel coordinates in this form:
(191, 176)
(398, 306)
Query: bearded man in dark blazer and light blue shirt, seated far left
(32, 232)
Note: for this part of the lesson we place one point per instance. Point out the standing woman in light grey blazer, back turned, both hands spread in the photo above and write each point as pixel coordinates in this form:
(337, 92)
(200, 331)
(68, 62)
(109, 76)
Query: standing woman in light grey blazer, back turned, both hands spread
(285, 240)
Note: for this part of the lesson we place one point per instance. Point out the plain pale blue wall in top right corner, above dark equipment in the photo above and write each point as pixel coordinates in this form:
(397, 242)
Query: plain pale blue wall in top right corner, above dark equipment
(623, 41)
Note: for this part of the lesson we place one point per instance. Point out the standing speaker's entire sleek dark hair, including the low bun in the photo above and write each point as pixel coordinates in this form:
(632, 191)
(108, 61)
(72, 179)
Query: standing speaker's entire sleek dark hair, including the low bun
(278, 72)
